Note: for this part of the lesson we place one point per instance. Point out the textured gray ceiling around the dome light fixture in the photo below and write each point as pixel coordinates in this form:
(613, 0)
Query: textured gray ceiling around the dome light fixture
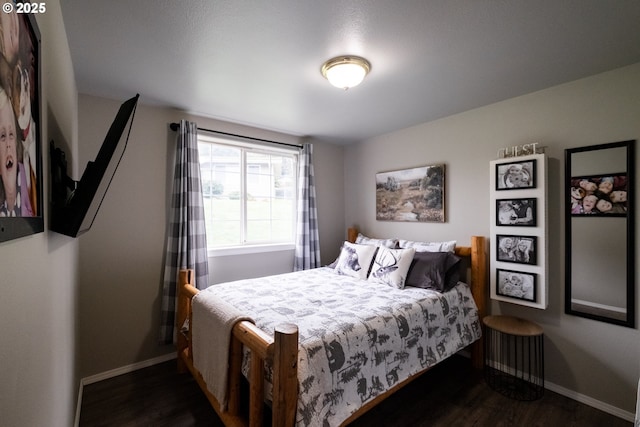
(258, 62)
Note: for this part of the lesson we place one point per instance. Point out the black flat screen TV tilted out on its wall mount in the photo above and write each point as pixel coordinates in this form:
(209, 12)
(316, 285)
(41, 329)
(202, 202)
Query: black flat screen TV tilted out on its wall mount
(75, 204)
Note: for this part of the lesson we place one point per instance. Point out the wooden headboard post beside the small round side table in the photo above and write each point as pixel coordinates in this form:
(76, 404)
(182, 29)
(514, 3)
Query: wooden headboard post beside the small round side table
(479, 291)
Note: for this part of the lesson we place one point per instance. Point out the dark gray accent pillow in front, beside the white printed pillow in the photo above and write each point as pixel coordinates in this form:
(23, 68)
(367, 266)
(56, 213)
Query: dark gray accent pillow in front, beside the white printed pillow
(438, 271)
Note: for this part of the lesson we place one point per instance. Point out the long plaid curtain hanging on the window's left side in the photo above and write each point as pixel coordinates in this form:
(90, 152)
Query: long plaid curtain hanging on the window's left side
(187, 240)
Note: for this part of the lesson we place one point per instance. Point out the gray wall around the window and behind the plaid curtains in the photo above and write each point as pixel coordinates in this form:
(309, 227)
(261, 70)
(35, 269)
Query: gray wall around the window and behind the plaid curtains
(122, 256)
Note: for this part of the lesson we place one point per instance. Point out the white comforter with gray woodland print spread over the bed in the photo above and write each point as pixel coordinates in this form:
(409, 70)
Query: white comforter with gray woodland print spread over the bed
(357, 338)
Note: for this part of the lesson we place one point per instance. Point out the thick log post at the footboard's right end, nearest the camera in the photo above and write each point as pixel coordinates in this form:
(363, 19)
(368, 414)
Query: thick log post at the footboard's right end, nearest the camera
(285, 375)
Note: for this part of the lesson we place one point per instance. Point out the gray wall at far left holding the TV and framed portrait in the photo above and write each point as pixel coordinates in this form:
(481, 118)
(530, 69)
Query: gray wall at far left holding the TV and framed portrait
(38, 376)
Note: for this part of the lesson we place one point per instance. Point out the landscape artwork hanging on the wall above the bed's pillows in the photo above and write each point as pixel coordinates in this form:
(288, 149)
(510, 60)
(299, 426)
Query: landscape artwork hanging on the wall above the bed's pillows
(413, 195)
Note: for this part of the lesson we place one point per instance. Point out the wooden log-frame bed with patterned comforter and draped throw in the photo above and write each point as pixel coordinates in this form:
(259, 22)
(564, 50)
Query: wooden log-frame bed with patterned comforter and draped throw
(301, 368)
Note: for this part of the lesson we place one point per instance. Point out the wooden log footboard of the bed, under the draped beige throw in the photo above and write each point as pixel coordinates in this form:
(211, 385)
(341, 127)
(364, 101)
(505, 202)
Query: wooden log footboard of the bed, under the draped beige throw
(279, 351)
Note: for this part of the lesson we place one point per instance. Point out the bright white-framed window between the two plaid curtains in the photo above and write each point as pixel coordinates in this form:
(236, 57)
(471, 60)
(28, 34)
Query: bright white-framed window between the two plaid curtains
(249, 191)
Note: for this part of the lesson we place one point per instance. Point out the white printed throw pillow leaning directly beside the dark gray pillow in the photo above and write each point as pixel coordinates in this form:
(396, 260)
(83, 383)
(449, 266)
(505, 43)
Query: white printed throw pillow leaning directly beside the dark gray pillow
(391, 266)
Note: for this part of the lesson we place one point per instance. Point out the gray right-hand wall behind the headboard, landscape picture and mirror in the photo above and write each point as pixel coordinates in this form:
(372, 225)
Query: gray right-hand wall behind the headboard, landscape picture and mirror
(584, 358)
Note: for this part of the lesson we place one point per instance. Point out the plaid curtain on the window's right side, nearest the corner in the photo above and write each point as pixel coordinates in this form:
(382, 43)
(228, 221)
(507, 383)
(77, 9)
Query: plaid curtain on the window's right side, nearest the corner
(307, 252)
